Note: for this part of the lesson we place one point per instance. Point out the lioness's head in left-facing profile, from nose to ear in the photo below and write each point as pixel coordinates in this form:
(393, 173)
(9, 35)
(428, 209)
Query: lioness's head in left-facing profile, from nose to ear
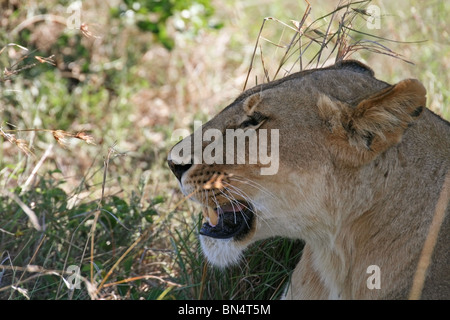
(285, 158)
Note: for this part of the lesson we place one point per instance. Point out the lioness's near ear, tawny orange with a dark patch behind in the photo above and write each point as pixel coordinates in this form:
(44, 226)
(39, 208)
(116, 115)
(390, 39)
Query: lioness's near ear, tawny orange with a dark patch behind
(376, 123)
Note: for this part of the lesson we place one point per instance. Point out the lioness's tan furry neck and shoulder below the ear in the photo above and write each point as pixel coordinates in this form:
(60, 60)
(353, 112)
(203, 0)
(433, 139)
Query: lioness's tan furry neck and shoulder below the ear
(360, 242)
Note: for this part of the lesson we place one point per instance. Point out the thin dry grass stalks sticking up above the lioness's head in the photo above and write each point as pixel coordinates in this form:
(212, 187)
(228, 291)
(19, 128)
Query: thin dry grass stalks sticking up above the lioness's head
(319, 43)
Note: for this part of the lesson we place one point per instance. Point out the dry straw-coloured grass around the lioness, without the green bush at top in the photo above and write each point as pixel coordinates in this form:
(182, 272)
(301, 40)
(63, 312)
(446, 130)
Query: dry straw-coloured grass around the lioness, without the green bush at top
(149, 92)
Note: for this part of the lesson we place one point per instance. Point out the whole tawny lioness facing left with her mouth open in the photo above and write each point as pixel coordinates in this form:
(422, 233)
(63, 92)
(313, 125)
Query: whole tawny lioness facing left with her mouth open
(362, 164)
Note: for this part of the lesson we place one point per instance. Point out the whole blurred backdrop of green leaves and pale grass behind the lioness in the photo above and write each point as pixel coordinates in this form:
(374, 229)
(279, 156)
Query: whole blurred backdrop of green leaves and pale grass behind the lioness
(129, 75)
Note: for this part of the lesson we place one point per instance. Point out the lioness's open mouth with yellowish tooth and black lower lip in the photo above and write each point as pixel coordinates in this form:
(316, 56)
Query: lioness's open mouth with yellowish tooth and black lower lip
(232, 220)
